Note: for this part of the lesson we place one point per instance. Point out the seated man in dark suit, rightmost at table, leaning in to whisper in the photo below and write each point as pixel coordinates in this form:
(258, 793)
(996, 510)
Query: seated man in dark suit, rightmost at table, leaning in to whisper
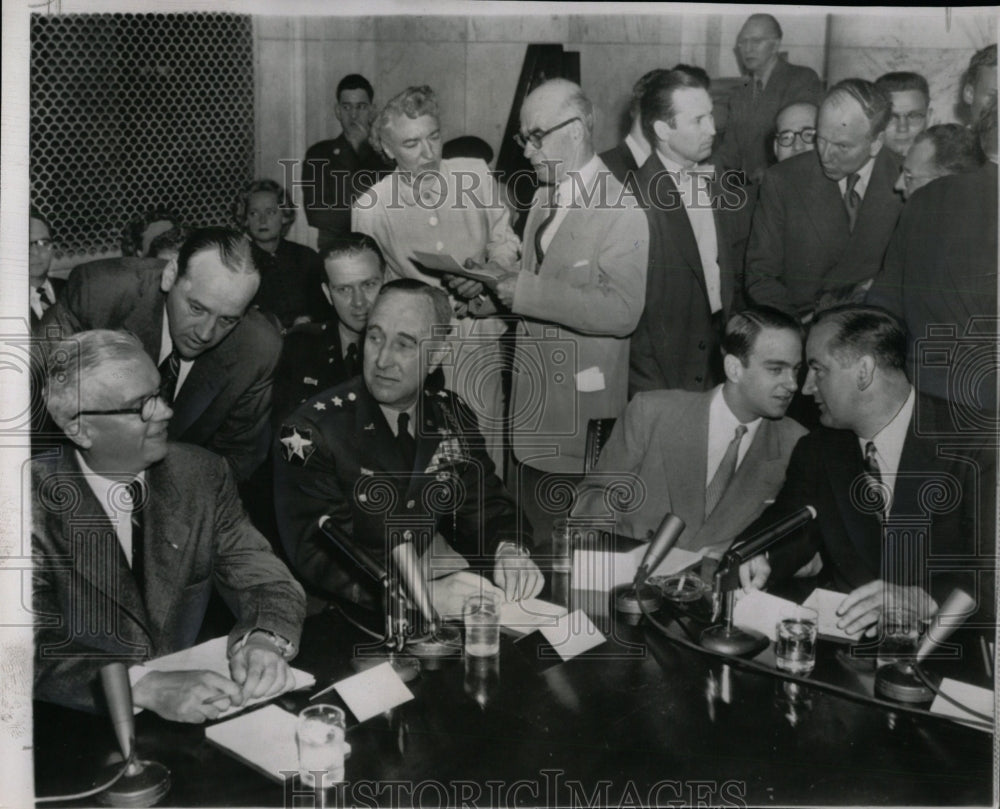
(881, 536)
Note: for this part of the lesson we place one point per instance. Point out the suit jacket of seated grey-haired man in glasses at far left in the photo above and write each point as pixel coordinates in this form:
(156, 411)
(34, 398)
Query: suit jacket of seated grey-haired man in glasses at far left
(88, 609)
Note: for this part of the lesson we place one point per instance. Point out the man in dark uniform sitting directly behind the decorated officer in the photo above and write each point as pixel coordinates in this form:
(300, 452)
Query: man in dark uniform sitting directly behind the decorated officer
(317, 356)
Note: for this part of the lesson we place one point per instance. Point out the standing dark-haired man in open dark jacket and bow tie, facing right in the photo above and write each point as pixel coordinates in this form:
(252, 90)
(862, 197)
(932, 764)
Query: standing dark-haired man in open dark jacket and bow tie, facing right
(693, 277)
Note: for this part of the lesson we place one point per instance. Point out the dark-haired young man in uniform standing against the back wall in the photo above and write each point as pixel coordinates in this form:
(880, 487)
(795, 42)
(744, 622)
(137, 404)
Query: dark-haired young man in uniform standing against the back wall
(336, 171)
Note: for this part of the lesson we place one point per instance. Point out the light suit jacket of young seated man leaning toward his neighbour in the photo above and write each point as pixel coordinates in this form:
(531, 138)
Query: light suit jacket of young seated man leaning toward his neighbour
(662, 440)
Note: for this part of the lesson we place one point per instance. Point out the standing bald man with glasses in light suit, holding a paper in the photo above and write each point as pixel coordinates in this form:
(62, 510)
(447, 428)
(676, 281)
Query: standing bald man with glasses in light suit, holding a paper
(580, 287)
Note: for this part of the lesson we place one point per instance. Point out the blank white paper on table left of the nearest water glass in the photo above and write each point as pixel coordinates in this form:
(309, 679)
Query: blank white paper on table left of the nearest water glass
(264, 740)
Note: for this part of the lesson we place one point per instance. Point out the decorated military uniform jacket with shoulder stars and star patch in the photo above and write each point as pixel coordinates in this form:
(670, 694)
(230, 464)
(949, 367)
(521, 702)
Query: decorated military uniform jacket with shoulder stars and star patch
(336, 457)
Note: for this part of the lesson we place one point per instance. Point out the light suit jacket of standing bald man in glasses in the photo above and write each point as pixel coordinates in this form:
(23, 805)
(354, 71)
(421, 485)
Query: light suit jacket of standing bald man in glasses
(579, 309)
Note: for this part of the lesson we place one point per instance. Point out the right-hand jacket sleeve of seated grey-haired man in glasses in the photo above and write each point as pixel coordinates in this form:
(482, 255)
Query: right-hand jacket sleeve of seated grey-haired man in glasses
(254, 583)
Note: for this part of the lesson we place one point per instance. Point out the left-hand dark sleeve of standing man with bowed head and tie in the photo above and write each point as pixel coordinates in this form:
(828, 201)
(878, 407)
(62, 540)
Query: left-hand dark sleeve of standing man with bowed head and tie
(765, 262)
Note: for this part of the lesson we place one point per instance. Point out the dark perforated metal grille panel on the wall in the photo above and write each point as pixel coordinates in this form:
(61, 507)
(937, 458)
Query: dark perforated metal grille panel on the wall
(134, 110)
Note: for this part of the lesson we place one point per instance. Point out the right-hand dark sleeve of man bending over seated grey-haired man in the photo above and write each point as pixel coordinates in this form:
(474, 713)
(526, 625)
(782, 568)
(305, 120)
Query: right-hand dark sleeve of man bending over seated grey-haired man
(244, 436)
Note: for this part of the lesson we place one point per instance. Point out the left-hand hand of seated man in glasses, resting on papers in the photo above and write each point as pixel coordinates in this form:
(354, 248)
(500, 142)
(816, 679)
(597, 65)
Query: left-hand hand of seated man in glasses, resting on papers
(185, 696)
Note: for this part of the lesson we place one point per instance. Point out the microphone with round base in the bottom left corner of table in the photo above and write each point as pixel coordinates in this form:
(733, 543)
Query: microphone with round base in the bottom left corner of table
(143, 783)
